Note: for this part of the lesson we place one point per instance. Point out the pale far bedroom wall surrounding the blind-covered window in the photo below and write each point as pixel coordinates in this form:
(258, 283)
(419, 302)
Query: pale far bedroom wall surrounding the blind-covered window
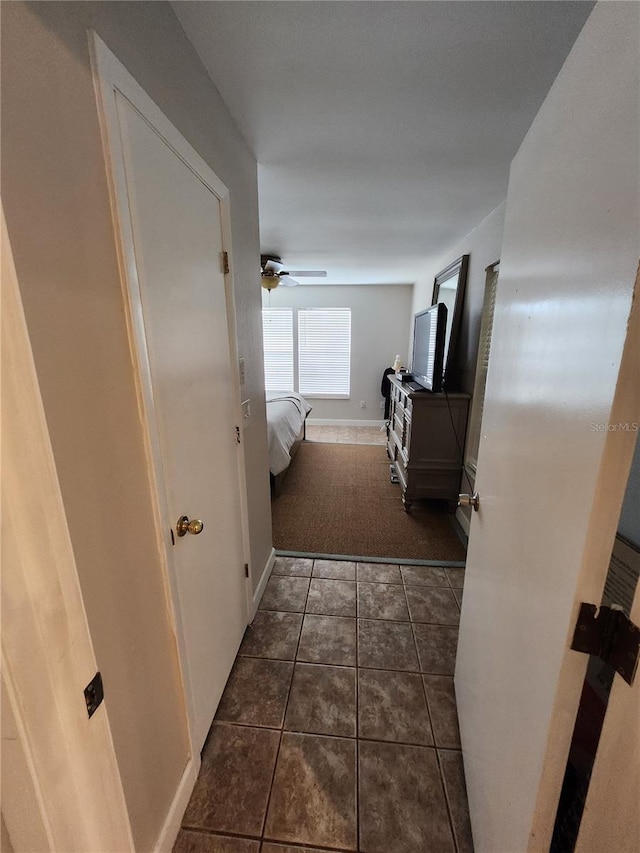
(380, 323)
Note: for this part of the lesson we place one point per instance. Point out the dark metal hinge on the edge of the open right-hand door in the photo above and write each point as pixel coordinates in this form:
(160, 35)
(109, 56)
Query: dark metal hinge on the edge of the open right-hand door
(607, 633)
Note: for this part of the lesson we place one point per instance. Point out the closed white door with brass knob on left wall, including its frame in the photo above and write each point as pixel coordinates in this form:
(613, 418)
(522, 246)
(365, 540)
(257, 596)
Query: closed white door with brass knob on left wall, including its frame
(182, 317)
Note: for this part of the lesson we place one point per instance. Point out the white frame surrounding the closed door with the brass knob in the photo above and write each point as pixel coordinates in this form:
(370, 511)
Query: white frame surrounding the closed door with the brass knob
(110, 77)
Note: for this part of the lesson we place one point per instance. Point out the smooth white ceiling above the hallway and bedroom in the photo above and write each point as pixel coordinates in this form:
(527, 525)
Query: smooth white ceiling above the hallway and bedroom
(383, 131)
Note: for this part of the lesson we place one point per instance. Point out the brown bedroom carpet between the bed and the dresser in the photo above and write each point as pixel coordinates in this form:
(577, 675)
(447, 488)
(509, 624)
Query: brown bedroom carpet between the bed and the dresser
(338, 499)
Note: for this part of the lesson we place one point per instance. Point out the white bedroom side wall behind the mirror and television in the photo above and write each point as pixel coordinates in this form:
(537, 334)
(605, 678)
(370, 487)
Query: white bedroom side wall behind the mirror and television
(483, 245)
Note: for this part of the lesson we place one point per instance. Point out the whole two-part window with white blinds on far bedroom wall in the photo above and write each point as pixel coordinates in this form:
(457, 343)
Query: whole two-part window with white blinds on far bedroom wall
(308, 350)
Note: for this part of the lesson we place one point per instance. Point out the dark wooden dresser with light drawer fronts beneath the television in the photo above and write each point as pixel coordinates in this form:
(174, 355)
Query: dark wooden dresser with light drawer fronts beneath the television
(422, 442)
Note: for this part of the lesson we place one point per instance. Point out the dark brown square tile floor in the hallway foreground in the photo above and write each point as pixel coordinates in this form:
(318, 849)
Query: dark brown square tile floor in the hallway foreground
(338, 727)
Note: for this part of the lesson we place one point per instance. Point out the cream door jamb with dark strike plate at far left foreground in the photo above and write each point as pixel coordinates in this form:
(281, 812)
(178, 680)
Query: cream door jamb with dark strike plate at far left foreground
(52, 750)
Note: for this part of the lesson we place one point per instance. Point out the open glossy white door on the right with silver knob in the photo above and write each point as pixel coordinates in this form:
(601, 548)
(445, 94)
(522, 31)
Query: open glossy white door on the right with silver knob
(551, 473)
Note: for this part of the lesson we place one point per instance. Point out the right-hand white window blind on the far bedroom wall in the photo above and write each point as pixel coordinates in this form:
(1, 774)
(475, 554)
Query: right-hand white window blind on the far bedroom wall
(324, 351)
